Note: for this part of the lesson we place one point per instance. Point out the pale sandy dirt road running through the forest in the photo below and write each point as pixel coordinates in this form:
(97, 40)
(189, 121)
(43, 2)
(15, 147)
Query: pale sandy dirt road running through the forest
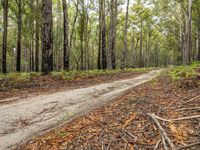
(23, 119)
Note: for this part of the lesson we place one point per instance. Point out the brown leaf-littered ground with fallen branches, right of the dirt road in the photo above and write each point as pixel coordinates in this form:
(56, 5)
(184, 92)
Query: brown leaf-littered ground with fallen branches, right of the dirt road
(161, 114)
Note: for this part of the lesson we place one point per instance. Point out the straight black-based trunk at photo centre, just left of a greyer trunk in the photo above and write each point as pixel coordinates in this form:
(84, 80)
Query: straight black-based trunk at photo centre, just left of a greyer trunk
(104, 59)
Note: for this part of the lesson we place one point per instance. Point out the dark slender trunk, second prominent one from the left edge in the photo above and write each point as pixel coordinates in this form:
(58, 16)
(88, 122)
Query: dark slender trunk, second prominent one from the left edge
(19, 19)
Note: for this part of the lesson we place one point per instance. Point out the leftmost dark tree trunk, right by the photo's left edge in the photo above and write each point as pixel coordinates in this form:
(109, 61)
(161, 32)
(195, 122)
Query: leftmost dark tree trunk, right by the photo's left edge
(5, 26)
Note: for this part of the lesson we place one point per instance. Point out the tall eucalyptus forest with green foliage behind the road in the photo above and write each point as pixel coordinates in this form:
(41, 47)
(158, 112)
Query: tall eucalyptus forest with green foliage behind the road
(55, 35)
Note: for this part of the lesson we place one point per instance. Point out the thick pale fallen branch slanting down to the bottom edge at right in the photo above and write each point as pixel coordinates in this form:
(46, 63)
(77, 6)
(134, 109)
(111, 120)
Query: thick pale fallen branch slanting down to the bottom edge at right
(162, 131)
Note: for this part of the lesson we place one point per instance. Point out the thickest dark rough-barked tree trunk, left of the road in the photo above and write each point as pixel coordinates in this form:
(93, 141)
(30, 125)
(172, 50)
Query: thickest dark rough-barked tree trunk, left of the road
(47, 37)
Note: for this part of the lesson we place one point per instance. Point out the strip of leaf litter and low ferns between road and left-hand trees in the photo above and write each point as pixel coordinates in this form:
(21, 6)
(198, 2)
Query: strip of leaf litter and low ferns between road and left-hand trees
(22, 85)
